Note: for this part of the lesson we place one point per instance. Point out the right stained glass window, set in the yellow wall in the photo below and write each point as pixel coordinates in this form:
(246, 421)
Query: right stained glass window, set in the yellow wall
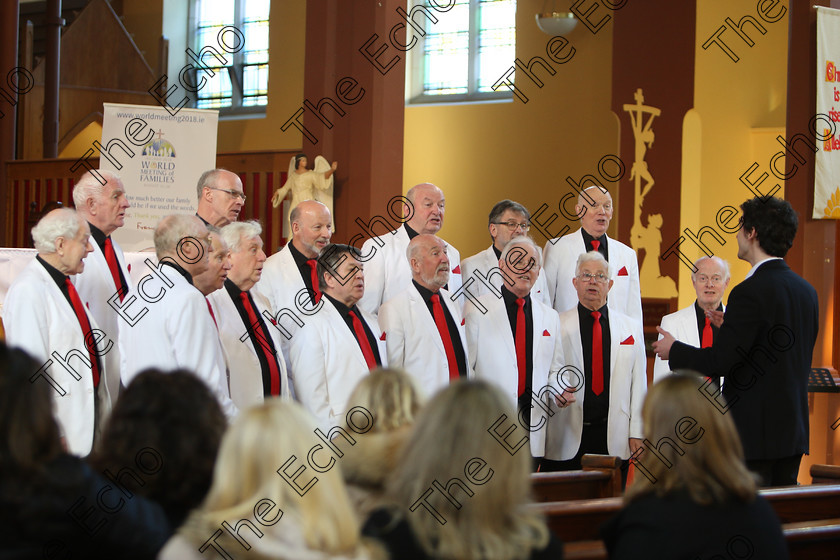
(464, 52)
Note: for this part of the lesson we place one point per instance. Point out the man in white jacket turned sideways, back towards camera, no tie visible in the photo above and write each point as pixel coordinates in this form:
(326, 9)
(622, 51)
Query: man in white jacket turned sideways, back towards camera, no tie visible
(169, 323)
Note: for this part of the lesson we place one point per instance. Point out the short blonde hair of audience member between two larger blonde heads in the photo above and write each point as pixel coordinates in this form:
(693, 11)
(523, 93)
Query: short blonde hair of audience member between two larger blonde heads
(390, 396)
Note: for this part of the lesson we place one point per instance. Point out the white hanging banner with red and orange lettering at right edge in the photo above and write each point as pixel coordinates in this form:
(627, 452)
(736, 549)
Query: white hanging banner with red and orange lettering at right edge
(827, 168)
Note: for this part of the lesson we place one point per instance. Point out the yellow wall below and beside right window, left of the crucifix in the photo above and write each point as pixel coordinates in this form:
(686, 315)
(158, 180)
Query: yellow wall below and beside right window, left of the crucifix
(484, 152)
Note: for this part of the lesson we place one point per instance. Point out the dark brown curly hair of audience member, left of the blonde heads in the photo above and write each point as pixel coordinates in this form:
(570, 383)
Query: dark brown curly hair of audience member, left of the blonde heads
(162, 439)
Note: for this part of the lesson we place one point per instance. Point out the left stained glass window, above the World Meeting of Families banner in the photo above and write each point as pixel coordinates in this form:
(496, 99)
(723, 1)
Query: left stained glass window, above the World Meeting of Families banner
(243, 80)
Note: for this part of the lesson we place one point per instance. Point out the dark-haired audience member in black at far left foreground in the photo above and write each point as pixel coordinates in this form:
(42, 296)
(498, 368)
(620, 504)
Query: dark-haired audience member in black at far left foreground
(41, 485)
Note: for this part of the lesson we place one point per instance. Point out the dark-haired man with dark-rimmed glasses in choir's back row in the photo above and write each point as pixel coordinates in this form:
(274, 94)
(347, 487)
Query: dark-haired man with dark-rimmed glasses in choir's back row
(481, 271)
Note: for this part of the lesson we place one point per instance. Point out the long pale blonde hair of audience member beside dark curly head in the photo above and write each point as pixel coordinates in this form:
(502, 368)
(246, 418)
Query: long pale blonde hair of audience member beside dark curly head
(257, 447)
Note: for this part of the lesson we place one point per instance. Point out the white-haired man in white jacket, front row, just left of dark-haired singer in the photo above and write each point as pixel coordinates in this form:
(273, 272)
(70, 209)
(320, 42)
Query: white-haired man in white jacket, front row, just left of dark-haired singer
(251, 343)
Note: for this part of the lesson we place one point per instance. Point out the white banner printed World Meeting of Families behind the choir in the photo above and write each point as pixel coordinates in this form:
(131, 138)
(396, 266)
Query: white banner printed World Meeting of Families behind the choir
(159, 158)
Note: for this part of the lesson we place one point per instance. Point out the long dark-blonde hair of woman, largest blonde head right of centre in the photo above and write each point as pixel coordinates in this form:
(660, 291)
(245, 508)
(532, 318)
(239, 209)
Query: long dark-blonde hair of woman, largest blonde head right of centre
(454, 430)
